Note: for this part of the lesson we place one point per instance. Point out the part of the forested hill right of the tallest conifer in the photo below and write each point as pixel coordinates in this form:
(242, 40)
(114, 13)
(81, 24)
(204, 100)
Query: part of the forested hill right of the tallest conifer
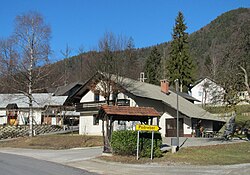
(226, 36)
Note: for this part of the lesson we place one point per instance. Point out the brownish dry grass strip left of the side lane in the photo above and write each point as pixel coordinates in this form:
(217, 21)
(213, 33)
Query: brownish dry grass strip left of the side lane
(53, 142)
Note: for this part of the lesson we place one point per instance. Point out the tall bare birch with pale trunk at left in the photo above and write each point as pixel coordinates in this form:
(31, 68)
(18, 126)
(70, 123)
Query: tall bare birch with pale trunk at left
(30, 62)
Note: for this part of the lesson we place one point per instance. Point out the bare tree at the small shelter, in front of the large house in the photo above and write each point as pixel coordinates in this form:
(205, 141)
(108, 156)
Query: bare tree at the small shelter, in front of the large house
(112, 67)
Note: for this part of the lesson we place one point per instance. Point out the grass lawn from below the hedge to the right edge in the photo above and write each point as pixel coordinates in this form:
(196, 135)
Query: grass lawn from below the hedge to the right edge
(226, 154)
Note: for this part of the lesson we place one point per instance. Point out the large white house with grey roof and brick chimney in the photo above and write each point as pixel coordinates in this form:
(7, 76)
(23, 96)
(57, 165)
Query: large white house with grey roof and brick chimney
(136, 93)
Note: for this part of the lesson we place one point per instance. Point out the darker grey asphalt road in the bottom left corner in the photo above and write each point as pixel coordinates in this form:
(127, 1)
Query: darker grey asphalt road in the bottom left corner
(17, 165)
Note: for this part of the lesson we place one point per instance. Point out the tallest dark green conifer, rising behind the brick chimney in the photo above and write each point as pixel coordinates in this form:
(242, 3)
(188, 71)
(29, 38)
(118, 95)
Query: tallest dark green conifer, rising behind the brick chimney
(181, 65)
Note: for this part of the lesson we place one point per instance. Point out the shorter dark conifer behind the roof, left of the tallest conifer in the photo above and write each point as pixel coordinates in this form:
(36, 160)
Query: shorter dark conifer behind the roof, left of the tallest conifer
(152, 67)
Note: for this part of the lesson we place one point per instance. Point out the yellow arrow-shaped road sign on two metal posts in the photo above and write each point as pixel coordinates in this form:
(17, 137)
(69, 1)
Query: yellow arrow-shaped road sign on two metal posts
(152, 128)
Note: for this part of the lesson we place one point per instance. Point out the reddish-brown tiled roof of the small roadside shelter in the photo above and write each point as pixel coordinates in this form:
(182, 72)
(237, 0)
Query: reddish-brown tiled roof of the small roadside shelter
(130, 111)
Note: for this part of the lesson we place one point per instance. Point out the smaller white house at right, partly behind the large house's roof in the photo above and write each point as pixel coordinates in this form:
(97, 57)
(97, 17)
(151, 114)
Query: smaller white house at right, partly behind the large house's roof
(207, 92)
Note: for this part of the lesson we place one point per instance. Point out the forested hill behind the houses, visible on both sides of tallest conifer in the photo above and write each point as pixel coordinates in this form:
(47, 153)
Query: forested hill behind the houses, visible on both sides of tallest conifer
(225, 40)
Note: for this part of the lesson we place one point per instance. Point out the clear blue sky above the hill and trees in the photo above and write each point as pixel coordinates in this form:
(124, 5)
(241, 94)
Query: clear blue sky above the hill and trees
(82, 23)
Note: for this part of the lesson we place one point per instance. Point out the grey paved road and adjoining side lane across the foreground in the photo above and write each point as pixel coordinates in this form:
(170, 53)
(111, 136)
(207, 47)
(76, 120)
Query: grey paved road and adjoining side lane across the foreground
(85, 159)
